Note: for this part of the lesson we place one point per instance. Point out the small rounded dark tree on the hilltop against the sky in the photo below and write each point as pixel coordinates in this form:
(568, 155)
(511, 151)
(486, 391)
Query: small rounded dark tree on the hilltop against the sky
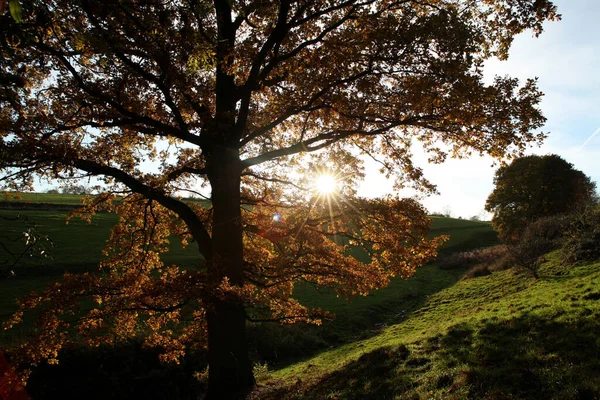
(533, 187)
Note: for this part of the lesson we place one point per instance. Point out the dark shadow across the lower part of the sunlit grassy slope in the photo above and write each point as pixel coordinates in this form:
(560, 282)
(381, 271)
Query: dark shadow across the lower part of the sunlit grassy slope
(520, 358)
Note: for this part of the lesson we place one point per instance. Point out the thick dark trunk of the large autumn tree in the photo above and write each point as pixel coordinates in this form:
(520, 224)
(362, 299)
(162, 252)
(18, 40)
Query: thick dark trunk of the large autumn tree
(230, 371)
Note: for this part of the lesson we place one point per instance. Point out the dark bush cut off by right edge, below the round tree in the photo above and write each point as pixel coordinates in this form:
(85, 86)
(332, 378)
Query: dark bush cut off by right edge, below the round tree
(583, 237)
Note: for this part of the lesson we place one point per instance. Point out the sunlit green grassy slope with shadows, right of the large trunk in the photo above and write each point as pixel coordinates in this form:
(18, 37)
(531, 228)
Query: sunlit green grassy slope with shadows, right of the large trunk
(503, 336)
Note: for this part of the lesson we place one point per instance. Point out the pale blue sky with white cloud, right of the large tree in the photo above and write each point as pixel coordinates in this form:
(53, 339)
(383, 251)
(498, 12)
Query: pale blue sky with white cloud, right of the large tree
(566, 60)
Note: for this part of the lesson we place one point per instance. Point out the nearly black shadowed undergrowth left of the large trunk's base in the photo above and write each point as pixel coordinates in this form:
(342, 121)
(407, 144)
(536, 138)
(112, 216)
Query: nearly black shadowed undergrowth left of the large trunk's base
(127, 371)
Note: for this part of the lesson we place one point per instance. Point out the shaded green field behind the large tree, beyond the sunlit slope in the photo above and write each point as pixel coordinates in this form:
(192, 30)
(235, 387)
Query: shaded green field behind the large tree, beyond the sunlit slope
(78, 246)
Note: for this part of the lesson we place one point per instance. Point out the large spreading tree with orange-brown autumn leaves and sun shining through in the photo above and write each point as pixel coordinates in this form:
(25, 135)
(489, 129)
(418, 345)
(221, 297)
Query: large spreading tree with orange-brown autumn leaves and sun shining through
(251, 99)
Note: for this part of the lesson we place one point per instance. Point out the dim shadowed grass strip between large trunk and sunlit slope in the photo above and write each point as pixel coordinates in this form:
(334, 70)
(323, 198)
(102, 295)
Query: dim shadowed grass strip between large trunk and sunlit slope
(362, 318)
